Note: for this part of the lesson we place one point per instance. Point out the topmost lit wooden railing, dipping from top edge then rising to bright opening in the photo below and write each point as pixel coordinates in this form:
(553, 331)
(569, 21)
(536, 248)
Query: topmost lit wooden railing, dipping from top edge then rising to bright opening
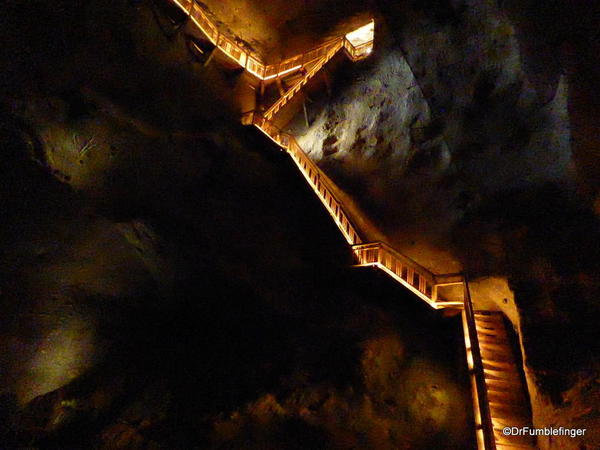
(250, 60)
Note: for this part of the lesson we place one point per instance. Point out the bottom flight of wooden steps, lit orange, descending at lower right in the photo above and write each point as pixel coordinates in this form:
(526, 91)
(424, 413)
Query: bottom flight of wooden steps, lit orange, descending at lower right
(507, 398)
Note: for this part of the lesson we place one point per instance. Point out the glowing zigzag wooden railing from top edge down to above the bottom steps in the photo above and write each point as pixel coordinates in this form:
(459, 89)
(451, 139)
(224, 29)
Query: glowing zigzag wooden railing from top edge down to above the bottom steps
(416, 278)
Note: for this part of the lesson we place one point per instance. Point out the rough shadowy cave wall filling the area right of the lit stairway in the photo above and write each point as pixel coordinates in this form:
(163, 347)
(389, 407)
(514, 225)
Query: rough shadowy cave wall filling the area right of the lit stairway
(509, 184)
